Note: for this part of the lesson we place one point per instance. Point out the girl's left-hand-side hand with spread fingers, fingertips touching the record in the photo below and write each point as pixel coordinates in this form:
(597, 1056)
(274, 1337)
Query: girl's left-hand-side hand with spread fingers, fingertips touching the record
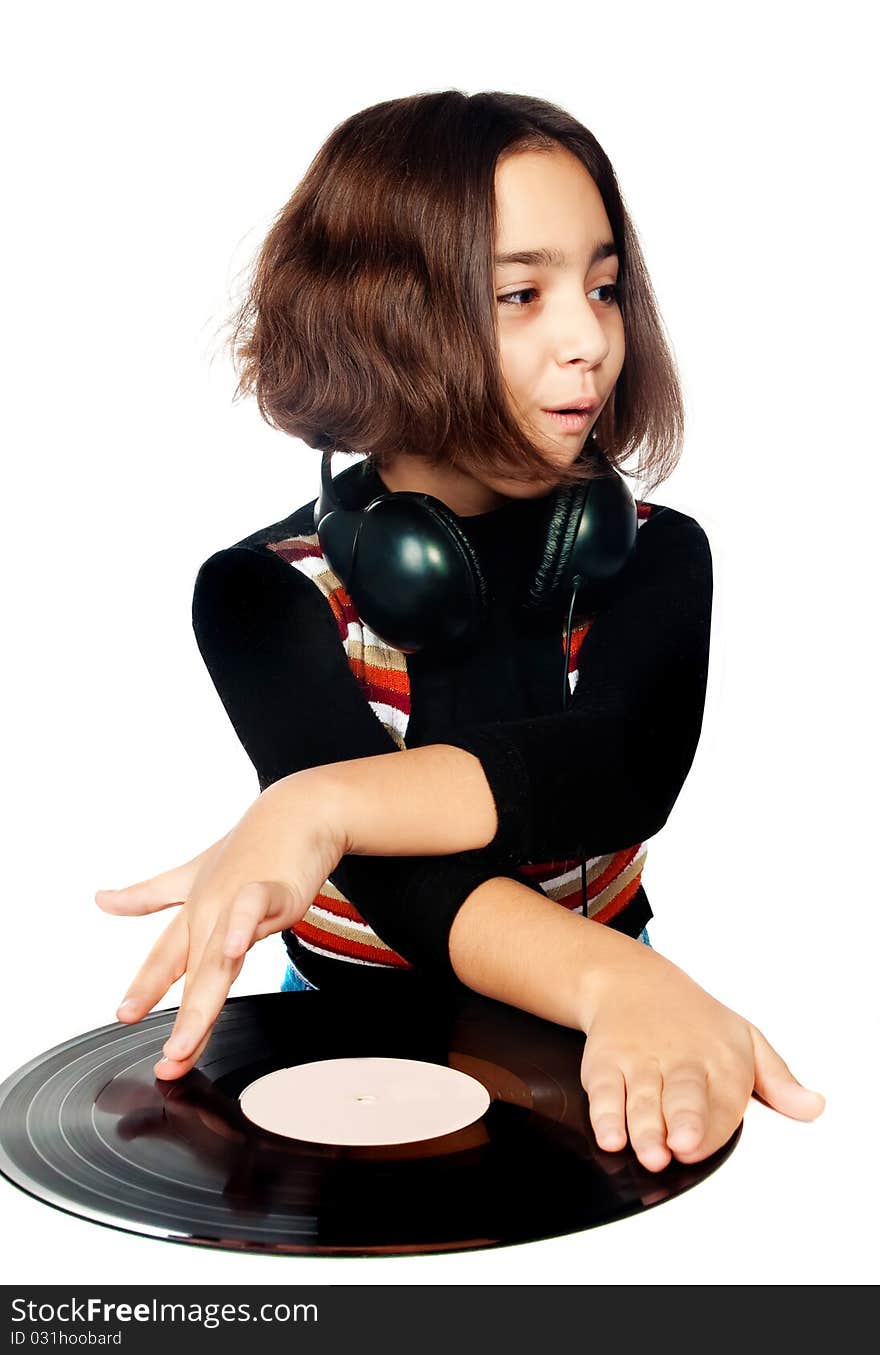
(260, 879)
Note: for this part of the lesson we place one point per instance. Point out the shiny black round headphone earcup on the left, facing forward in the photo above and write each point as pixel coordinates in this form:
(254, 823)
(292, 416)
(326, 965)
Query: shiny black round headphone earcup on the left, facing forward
(410, 571)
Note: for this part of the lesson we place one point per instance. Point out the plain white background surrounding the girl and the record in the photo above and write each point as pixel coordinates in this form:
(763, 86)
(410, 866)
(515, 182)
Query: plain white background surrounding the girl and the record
(148, 151)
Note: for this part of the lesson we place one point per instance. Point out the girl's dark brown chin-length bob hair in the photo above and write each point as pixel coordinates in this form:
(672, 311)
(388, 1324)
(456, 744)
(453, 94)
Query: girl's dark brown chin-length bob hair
(371, 327)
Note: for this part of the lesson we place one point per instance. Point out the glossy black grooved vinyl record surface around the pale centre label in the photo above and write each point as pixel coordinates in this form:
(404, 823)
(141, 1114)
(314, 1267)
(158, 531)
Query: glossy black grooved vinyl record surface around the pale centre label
(89, 1129)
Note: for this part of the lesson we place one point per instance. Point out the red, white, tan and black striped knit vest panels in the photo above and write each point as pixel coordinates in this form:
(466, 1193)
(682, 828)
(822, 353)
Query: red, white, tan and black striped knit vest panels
(333, 926)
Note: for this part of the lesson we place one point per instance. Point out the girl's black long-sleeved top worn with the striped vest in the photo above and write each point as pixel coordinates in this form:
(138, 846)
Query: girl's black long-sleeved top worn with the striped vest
(585, 783)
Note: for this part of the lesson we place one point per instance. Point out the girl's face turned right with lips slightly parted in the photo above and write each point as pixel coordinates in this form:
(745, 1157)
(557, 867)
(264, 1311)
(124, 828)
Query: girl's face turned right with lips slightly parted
(561, 329)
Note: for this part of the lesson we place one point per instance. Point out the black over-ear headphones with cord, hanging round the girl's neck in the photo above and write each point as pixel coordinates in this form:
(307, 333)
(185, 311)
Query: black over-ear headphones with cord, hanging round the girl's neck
(416, 579)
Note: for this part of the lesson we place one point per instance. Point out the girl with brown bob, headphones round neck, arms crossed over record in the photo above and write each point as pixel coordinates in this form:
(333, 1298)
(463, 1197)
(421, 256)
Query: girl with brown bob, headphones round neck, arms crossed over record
(451, 274)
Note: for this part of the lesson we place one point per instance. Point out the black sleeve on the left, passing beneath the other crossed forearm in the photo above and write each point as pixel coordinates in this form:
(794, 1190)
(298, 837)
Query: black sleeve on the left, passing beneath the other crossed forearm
(273, 652)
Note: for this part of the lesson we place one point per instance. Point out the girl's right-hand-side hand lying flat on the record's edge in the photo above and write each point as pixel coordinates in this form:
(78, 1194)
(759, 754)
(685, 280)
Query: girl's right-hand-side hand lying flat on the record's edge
(673, 1067)
